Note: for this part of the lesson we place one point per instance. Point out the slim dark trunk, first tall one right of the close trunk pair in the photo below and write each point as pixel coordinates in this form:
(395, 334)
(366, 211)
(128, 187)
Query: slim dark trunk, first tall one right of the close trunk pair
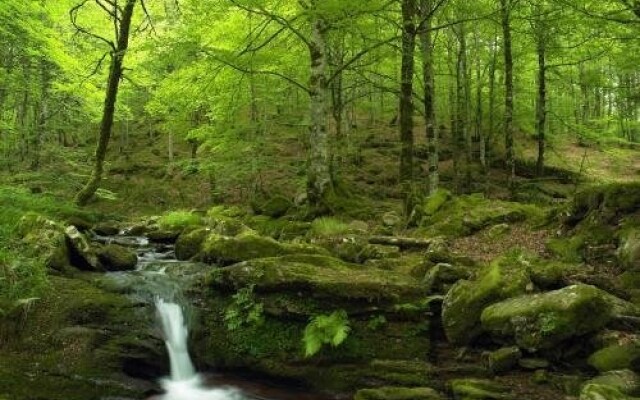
(508, 87)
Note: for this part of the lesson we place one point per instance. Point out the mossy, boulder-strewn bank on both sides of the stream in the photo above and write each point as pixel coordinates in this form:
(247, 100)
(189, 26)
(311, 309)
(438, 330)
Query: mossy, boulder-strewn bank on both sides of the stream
(422, 322)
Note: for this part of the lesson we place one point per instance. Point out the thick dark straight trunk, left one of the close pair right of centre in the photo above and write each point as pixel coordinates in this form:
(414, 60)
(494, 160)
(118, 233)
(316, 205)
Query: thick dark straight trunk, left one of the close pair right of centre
(406, 100)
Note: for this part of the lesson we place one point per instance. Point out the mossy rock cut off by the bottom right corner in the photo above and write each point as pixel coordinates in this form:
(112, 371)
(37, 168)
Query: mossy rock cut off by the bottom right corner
(614, 385)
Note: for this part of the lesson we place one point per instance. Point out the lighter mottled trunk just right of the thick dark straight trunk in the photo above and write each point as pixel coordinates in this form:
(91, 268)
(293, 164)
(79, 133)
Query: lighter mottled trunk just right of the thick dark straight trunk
(429, 96)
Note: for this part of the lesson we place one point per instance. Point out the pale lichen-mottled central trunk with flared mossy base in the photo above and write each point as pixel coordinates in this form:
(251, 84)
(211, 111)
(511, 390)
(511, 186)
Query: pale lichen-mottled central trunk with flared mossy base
(319, 184)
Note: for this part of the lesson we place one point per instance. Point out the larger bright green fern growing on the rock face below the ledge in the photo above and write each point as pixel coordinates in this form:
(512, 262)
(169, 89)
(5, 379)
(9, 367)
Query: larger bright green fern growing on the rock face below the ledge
(330, 329)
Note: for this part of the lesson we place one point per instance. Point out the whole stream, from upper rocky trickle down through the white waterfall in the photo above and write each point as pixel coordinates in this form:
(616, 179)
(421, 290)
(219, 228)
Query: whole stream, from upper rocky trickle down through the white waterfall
(156, 280)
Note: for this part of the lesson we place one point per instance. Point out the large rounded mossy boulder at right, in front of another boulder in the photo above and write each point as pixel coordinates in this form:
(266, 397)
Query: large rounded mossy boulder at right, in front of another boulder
(542, 321)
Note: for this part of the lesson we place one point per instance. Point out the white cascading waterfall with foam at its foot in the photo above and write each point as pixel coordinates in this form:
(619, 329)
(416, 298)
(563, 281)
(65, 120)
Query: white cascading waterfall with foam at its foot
(184, 384)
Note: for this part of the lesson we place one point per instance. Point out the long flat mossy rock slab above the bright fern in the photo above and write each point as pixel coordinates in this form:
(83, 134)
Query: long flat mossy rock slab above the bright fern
(321, 276)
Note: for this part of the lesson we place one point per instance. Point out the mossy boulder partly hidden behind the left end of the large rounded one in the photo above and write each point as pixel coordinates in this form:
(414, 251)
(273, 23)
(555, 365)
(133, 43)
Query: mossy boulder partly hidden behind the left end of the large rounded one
(466, 300)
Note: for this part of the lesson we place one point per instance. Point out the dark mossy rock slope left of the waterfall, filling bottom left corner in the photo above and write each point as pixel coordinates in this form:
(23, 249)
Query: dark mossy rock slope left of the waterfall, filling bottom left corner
(67, 346)
